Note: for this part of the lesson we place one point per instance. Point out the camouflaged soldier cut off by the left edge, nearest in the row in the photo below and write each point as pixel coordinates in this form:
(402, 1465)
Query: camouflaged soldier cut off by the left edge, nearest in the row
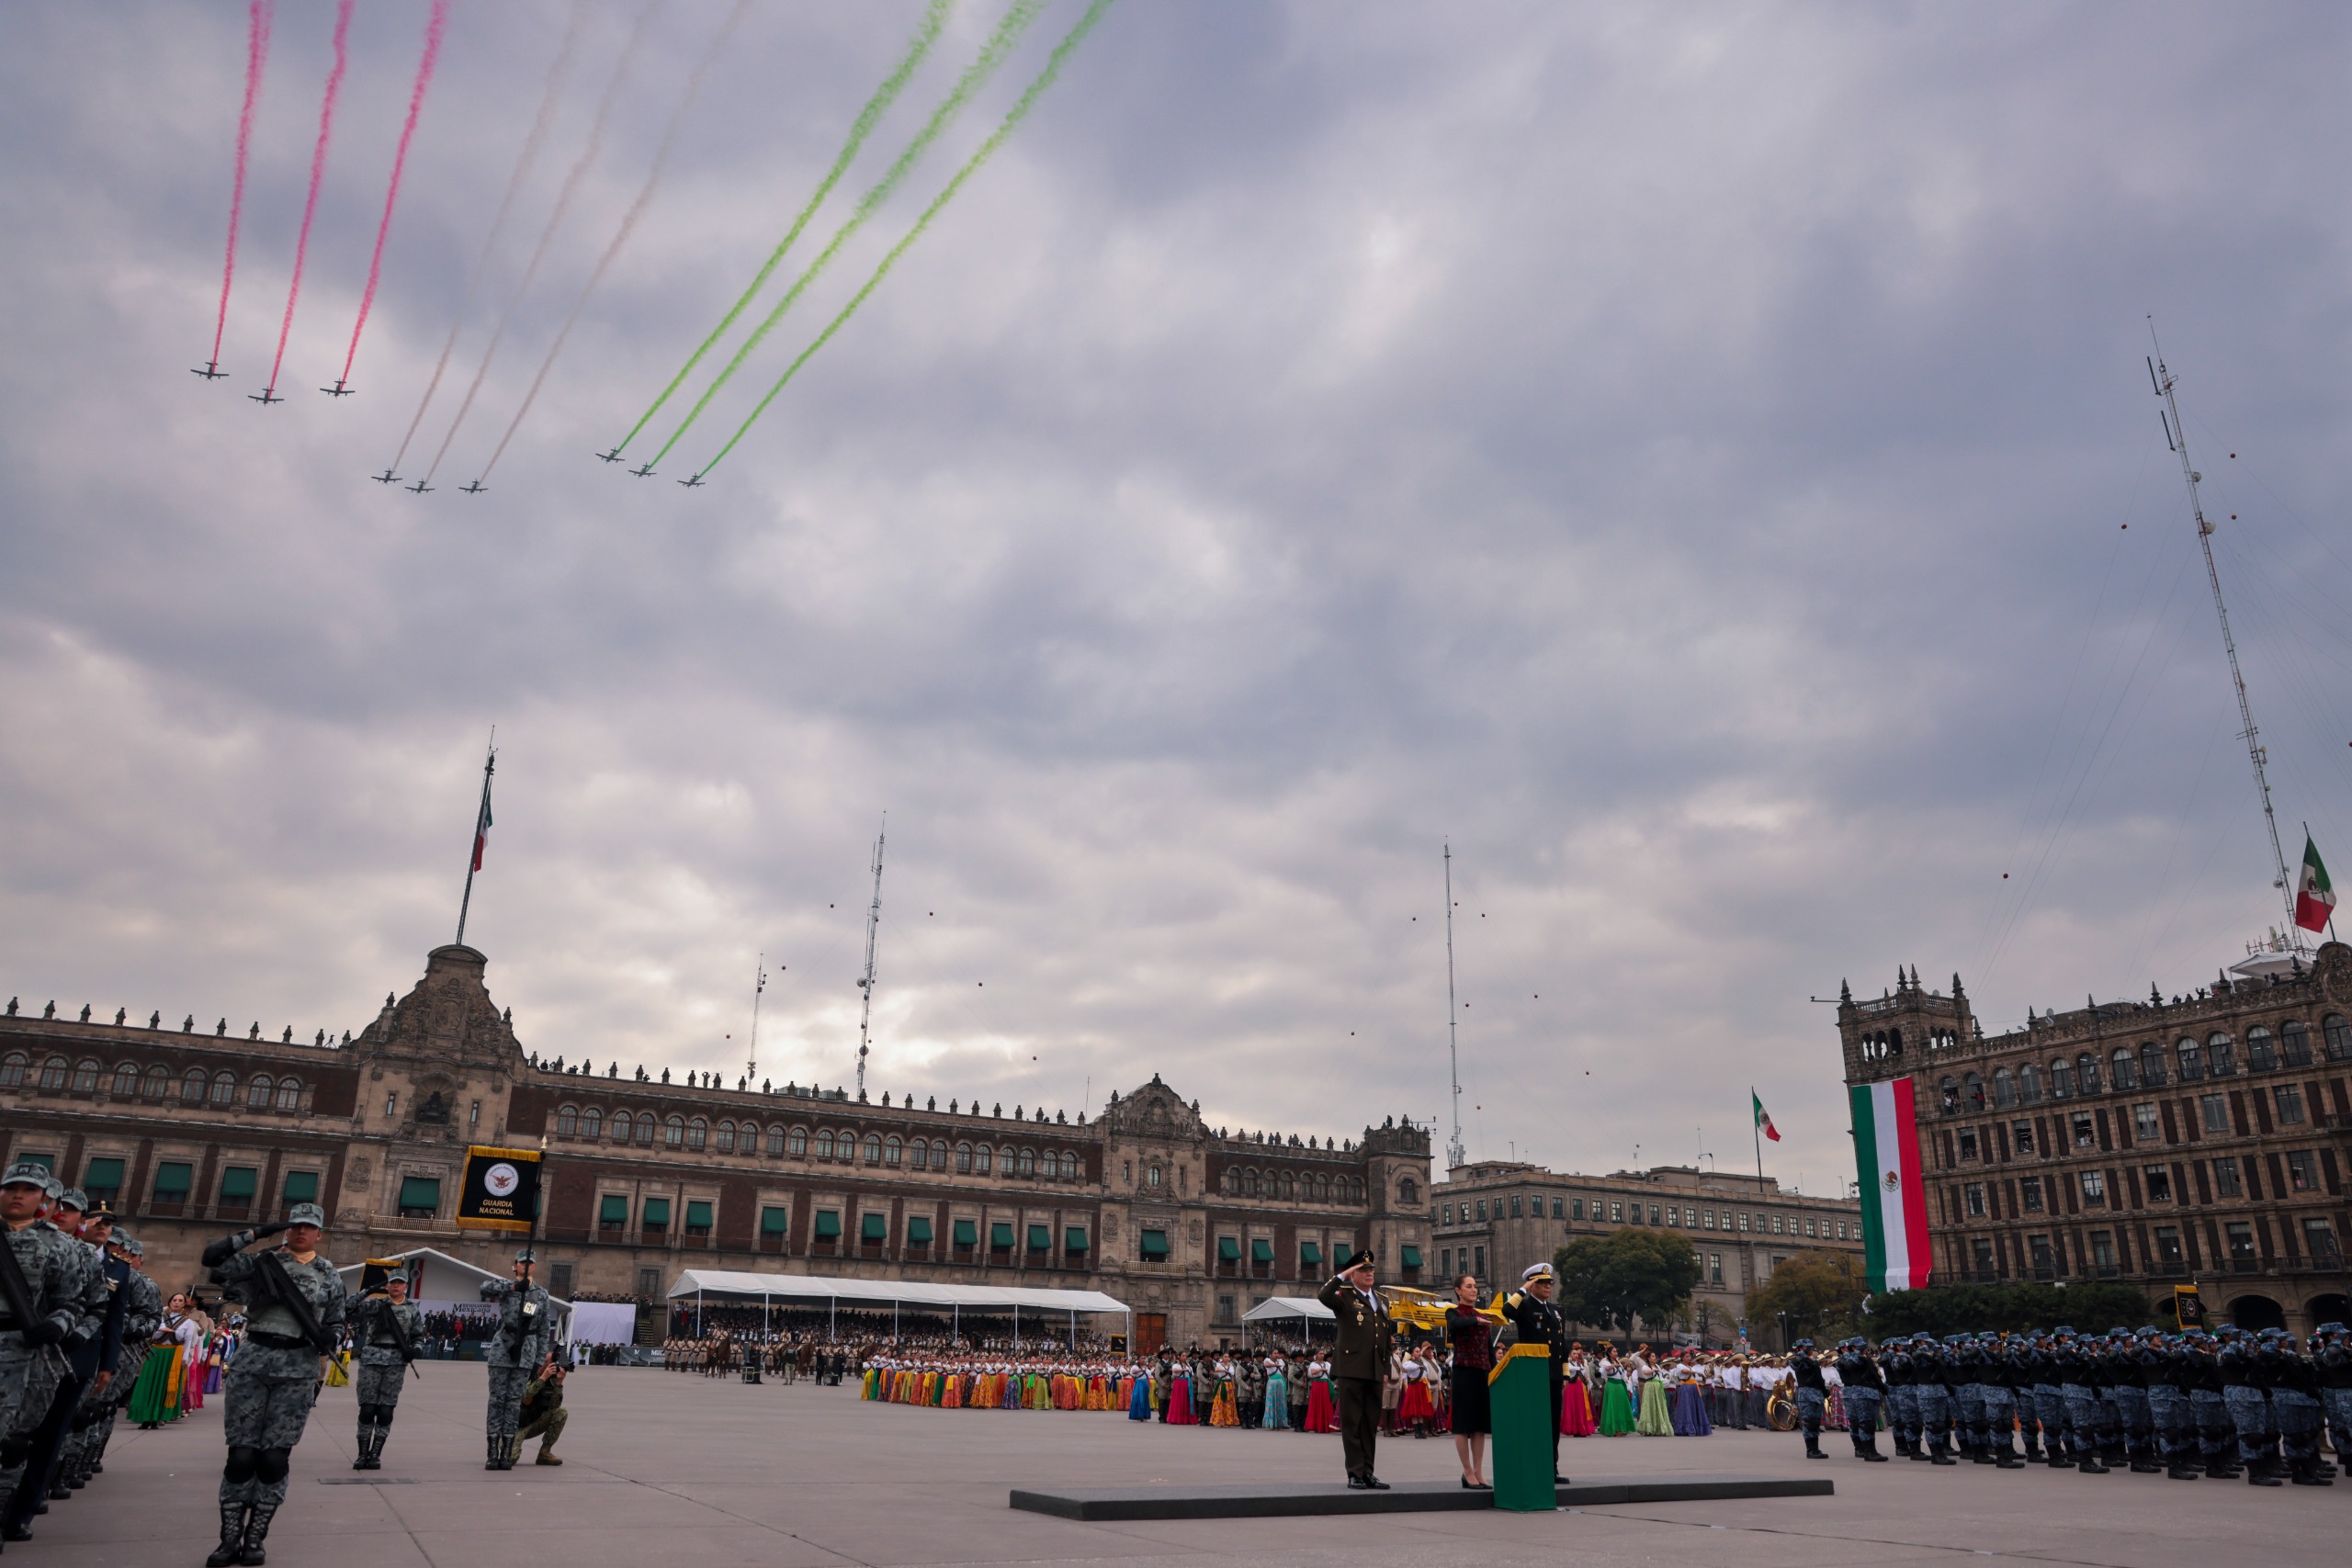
(44, 1306)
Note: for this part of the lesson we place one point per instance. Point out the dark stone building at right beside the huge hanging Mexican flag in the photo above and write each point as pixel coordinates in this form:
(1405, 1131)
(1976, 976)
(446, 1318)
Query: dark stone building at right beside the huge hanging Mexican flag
(2189, 1141)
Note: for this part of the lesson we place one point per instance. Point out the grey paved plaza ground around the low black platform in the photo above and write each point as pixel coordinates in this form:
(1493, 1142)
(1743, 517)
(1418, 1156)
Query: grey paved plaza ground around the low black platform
(697, 1473)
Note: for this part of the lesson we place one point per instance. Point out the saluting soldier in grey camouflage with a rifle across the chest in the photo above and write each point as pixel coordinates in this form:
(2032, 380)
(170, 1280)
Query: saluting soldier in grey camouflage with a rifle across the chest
(293, 1315)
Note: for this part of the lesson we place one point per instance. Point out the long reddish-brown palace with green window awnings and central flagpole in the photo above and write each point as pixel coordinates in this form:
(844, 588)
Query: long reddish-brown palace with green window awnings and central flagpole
(194, 1132)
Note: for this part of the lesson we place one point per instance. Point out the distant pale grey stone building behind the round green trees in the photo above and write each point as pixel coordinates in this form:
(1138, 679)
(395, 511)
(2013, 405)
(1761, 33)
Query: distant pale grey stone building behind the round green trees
(1495, 1219)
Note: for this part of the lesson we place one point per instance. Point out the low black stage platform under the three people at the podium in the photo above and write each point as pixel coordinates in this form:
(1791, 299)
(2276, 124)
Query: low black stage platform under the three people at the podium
(1274, 1501)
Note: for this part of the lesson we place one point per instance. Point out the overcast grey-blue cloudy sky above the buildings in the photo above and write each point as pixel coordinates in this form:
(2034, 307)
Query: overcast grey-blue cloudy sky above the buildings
(1695, 460)
